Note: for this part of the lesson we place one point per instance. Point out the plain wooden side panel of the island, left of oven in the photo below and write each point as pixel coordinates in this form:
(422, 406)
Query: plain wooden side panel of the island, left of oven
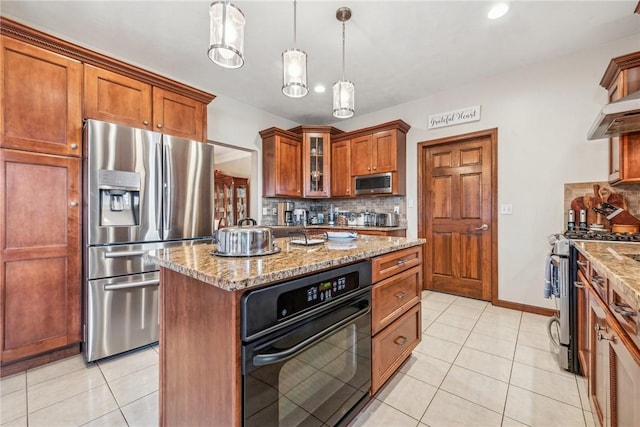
(200, 376)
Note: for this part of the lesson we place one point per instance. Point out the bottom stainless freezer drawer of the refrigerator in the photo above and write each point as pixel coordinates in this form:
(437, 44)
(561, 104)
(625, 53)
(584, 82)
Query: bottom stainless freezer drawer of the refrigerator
(122, 314)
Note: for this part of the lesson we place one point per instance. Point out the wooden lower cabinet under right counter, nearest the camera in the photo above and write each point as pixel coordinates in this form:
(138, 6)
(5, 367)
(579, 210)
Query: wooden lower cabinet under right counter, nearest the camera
(614, 369)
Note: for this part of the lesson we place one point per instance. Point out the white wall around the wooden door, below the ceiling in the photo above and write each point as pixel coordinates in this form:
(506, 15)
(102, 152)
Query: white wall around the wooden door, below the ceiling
(542, 114)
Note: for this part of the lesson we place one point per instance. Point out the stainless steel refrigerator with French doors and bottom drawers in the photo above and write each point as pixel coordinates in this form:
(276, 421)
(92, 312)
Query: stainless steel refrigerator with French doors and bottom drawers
(143, 191)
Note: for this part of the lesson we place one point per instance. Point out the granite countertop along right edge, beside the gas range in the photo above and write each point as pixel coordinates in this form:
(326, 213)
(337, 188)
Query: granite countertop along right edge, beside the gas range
(610, 259)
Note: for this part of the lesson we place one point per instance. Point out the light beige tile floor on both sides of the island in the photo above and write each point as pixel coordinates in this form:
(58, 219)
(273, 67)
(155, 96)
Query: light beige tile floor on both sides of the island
(477, 365)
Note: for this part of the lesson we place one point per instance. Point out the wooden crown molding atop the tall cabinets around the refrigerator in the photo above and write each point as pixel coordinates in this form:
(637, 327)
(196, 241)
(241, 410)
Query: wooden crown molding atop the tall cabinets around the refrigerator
(40, 39)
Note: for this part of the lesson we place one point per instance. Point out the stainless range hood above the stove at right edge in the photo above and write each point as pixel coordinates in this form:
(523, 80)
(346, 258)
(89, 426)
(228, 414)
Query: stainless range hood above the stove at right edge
(617, 118)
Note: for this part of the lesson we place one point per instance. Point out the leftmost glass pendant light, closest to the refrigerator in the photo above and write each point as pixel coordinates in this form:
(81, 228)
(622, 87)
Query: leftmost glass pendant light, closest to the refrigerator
(226, 32)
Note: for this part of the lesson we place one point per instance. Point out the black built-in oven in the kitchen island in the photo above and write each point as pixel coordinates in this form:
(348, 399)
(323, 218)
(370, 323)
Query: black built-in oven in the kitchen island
(306, 349)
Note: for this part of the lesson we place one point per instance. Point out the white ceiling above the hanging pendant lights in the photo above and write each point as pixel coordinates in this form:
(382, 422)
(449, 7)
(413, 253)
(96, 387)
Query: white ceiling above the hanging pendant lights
(396, 51)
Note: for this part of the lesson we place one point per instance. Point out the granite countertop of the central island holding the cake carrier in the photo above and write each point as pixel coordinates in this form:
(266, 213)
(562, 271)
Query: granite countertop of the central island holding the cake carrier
(236, 273)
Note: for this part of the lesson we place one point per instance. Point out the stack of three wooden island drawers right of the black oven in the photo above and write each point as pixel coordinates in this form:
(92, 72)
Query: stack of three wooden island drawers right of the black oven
(396, 321)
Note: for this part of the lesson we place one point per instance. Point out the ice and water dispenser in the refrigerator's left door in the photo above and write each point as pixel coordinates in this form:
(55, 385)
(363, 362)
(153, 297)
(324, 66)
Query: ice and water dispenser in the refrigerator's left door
(119, 198)
